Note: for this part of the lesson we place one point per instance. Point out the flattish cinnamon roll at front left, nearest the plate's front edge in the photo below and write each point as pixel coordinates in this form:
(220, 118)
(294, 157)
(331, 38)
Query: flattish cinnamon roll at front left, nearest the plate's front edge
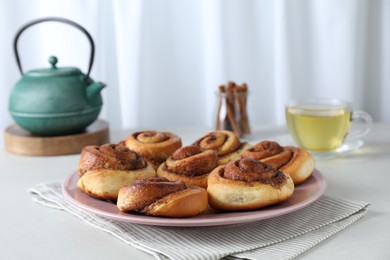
(160, 197)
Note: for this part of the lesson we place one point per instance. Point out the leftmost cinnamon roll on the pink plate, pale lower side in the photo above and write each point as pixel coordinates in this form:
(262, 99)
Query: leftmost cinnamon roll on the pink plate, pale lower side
(103, 170)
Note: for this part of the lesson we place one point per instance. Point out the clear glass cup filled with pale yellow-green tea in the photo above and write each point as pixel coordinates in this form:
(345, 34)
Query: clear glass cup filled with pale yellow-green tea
(325, 125)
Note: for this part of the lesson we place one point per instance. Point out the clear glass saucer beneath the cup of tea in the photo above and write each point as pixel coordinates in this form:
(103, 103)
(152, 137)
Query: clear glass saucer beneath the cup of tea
(347, 147)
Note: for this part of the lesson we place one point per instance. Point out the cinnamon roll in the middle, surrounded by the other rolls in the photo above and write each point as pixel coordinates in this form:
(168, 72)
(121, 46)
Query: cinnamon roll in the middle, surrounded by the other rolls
(189, 164)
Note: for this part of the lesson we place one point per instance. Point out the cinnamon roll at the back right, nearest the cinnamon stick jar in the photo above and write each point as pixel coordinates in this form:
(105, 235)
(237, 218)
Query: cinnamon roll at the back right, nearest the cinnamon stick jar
(226, 143)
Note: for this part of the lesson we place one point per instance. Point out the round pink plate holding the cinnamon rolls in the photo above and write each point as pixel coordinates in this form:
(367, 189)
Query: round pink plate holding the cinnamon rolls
(304, 194)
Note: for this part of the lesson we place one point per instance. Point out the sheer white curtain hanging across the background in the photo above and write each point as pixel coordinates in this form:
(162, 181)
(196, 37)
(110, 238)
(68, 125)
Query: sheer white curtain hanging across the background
(163, 60)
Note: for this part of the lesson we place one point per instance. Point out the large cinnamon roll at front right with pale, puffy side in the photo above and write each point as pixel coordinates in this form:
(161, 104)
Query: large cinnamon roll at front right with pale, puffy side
(247, 184)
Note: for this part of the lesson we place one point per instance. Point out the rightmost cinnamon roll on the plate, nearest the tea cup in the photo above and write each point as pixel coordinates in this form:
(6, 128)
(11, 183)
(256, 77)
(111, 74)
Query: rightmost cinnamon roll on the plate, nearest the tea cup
(294, 161)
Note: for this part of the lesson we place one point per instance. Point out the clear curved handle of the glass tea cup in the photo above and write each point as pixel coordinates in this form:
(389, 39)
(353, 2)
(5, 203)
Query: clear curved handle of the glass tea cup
(363, 128)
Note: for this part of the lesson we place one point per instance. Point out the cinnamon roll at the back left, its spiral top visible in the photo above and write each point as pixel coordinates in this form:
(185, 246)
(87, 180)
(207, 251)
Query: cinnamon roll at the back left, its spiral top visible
(154, 146)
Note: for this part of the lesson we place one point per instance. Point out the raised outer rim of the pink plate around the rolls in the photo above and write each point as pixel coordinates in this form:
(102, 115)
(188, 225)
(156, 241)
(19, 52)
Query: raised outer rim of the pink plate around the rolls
(228, 218)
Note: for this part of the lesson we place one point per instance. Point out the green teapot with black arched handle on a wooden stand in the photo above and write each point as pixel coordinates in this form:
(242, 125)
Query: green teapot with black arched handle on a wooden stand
(57, 100)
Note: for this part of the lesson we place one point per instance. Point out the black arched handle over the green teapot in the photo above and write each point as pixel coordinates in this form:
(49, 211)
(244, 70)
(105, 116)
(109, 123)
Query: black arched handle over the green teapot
(54, 19)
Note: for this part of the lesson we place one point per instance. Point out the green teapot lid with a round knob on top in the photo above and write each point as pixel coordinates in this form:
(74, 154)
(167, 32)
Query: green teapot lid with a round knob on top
(54, 71)
